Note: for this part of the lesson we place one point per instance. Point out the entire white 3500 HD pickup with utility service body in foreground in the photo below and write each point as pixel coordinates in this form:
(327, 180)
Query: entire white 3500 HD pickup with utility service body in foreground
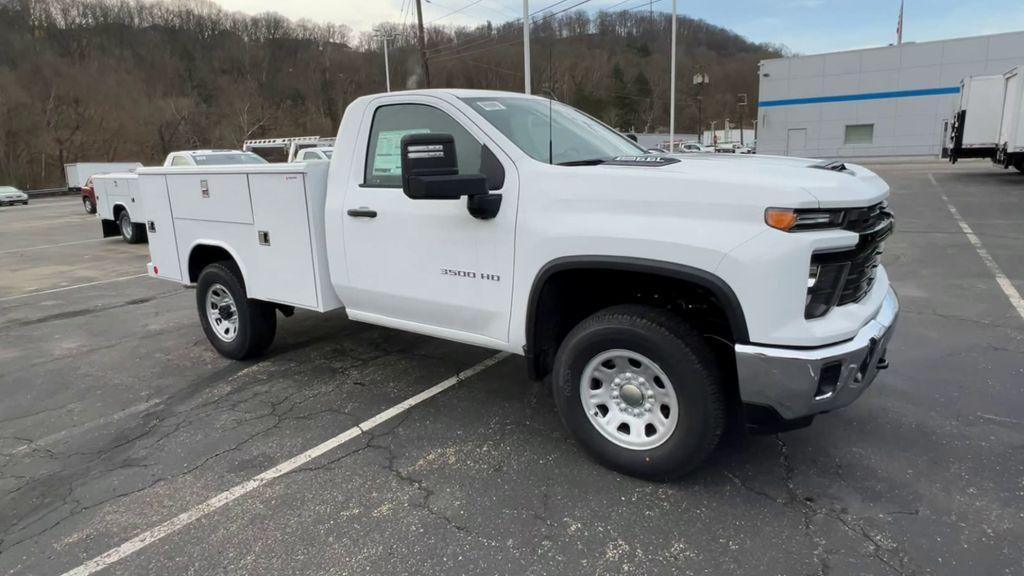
(664, 296)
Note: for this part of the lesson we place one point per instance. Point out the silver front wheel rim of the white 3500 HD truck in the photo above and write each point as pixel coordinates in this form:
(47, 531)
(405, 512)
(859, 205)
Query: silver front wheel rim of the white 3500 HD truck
(629, 399)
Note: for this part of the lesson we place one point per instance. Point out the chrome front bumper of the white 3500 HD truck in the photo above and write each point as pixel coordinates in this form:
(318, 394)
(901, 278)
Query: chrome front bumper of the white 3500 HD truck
(802, 383)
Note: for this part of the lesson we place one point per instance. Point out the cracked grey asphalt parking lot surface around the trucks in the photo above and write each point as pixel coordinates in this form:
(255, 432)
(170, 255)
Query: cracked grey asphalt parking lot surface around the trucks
(117, 418)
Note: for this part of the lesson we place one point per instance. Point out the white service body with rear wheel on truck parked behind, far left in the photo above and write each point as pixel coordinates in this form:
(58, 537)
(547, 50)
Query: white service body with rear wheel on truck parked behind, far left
(119, 207)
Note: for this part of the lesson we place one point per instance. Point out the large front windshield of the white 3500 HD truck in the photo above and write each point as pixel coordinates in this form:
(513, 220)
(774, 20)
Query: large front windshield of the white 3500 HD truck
(574, 136)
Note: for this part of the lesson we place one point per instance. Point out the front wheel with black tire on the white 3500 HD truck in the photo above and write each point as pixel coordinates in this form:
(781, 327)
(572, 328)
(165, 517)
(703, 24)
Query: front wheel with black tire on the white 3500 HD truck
(676, 383)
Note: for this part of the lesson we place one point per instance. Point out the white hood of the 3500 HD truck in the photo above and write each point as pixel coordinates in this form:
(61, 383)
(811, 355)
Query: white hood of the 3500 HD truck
(833, 185)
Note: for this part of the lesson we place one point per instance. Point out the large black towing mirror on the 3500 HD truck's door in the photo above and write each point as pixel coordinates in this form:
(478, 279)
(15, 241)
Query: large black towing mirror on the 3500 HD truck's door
(431, 172)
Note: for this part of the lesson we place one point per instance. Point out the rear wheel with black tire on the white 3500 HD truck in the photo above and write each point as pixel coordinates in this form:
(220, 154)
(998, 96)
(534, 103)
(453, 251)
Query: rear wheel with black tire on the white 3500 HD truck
(255, 322)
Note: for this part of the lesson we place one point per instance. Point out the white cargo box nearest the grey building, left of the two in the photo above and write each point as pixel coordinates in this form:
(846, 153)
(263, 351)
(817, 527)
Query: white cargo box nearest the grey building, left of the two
(976, 122)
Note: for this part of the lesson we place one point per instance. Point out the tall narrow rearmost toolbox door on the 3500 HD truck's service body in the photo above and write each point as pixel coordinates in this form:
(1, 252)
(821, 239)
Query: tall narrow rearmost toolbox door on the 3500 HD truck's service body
(160, 228)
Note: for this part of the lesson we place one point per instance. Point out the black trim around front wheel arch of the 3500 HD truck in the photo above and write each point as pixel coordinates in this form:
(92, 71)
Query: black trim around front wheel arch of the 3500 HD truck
(727, 299)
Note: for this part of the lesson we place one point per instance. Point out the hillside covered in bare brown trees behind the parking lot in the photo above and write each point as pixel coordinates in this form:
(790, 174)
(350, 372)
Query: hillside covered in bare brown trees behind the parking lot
(93, 80)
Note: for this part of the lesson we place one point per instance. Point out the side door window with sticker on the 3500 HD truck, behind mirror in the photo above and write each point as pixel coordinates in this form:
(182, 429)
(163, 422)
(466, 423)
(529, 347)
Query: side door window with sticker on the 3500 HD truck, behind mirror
(393, 122)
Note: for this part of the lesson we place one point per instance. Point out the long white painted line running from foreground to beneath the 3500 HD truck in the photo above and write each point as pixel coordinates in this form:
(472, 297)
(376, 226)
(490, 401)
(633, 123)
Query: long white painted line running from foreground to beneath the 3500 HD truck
(151, 537)
